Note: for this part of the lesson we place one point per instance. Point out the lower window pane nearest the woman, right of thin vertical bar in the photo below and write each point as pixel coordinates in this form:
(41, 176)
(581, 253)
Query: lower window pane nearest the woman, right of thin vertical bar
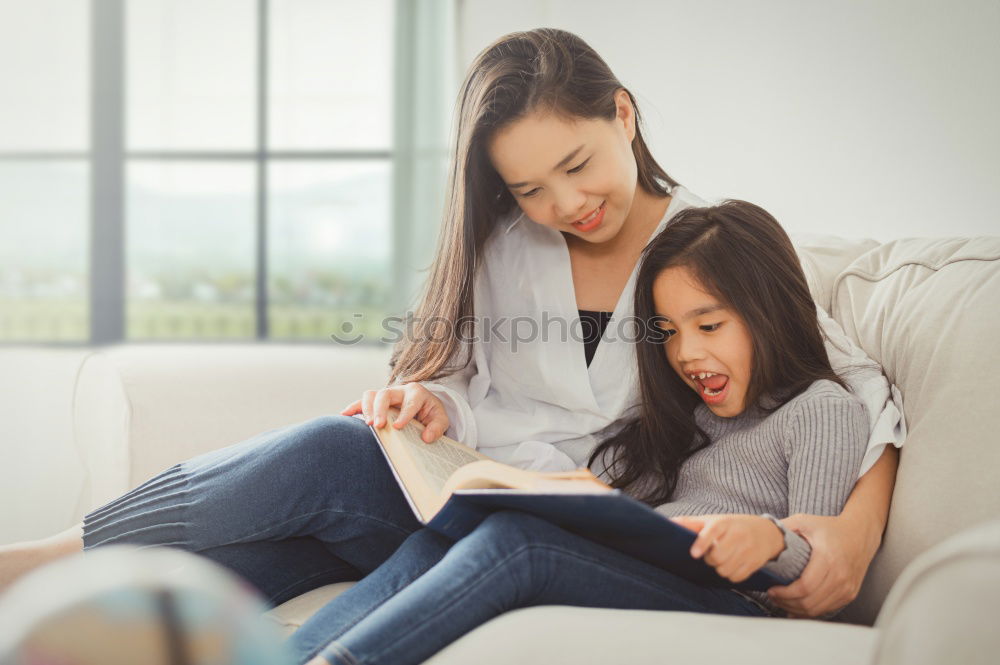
(329, 248)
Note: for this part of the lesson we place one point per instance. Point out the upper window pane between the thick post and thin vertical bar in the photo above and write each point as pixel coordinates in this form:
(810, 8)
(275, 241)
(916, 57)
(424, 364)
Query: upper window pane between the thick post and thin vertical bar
(190, 71)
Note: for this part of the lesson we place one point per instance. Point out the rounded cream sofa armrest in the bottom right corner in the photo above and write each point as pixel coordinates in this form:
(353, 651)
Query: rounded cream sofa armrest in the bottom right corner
(942, 608)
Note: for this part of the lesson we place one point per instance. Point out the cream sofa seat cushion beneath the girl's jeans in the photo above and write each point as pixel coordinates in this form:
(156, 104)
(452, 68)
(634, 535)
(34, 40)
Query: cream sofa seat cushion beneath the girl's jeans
(581, 635)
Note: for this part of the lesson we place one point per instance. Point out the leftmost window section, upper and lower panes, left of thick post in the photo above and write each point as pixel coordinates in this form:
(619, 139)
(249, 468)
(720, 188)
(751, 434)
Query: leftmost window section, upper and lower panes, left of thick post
(44, 171)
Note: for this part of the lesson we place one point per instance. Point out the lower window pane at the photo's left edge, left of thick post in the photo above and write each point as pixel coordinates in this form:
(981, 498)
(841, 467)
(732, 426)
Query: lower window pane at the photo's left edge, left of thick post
(43, 251)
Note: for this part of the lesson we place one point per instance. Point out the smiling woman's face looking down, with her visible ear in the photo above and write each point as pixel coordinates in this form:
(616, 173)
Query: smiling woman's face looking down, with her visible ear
(577, 176)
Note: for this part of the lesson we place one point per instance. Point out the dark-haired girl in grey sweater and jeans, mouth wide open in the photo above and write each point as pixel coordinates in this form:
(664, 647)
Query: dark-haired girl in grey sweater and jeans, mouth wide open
(741, 418)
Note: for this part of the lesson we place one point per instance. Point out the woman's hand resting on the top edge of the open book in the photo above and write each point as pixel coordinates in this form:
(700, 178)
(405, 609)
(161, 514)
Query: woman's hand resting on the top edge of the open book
(414, 401)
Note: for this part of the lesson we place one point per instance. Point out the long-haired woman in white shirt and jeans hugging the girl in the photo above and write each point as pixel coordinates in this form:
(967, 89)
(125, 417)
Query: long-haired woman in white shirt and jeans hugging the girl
(553, 196)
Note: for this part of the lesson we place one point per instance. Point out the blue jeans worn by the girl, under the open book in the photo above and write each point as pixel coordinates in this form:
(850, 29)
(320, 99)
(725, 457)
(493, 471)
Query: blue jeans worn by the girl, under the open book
(432, 591)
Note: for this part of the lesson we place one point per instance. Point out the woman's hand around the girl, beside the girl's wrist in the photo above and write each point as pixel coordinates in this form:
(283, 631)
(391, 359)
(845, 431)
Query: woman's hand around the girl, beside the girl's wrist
(836, 567)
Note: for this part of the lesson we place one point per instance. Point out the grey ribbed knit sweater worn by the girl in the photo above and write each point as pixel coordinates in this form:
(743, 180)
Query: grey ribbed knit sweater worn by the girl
(803, 458)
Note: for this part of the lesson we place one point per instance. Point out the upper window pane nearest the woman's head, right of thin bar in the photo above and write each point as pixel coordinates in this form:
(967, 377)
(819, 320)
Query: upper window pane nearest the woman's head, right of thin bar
(331, 66)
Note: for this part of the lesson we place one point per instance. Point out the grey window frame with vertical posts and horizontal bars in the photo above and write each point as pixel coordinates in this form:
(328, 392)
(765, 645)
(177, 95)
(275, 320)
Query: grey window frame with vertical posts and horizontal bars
(108, 158)
